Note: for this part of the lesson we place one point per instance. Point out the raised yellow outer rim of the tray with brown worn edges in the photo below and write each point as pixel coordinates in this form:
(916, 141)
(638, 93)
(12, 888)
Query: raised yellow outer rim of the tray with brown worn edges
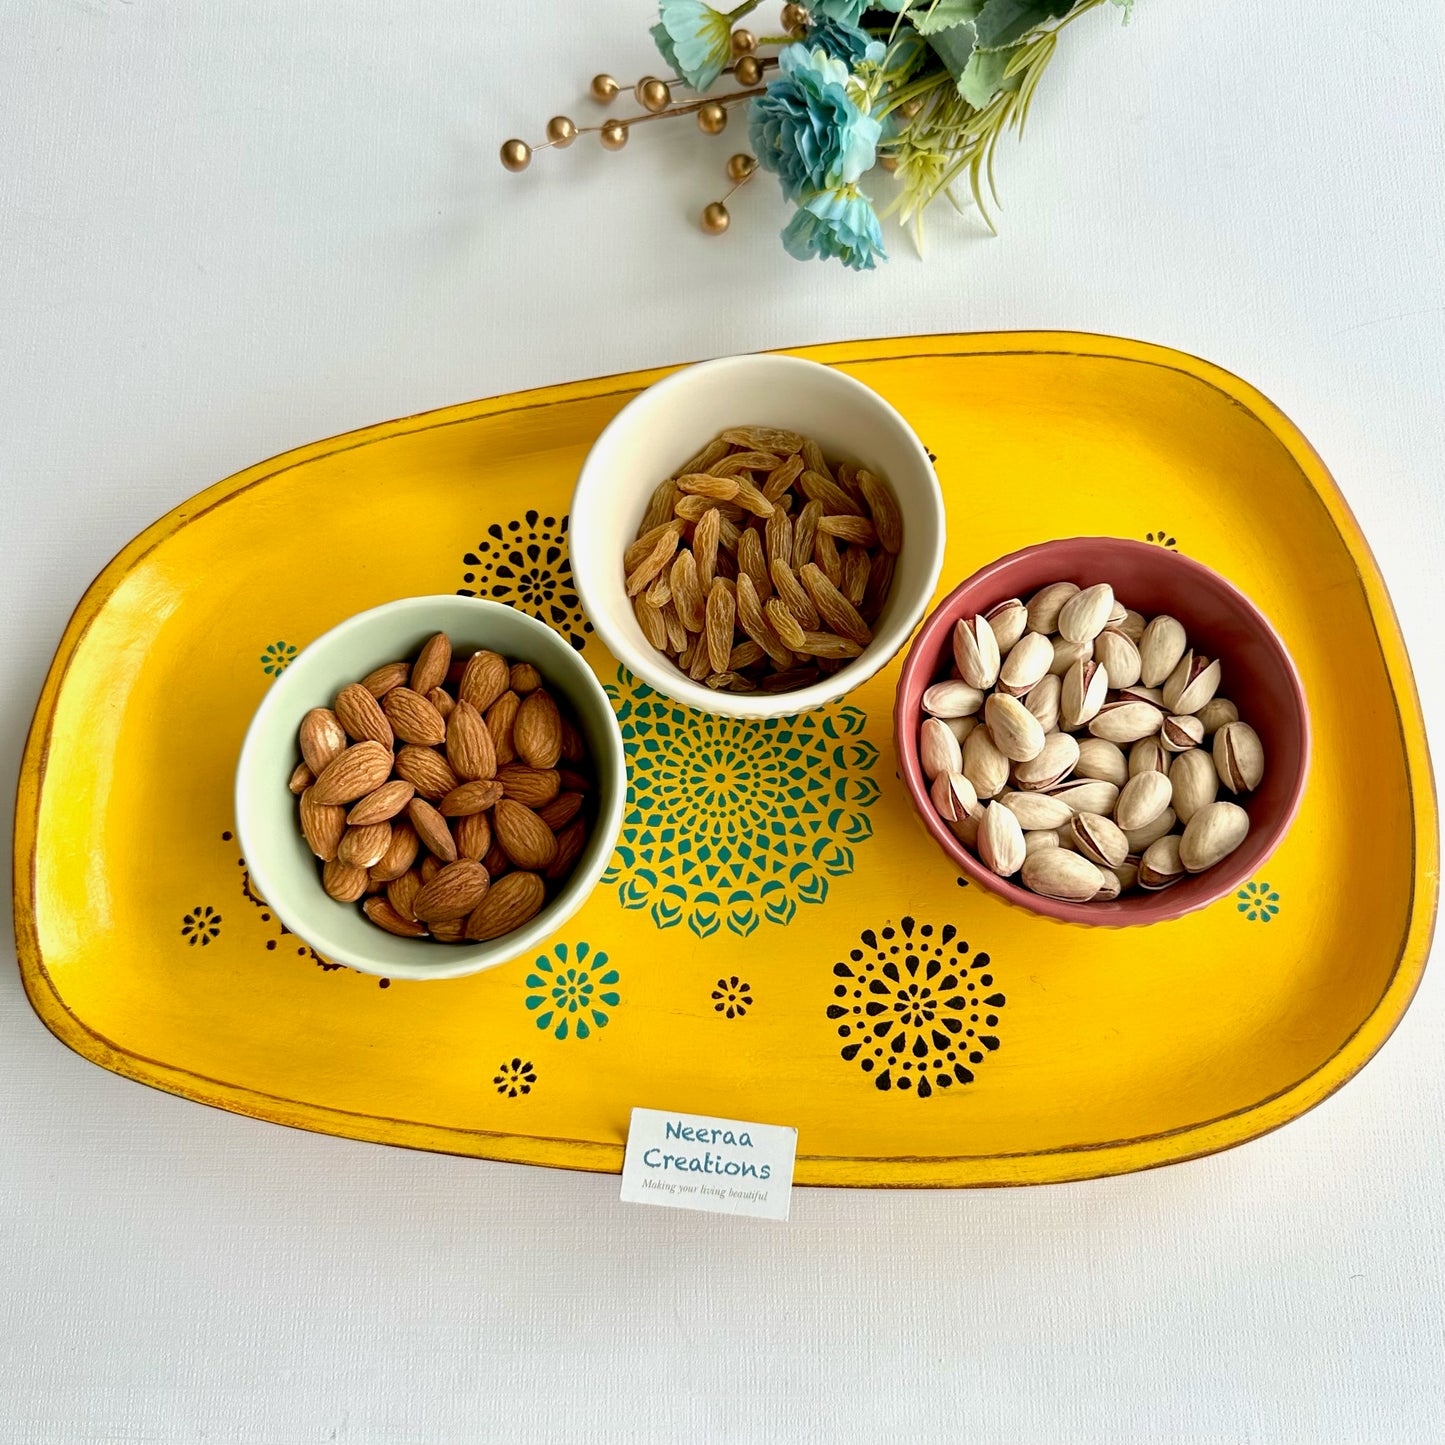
(1064, 1164)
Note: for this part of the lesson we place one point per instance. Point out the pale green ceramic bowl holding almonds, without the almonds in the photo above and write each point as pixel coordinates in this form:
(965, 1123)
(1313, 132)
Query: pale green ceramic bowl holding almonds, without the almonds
(282, 868)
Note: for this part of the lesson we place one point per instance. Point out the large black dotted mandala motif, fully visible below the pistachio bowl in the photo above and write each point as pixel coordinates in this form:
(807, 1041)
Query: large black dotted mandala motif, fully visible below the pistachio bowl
(914, 1009)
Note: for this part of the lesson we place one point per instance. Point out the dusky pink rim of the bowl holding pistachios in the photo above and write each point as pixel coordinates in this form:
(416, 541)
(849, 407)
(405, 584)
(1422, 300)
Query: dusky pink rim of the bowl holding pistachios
(1135, 913)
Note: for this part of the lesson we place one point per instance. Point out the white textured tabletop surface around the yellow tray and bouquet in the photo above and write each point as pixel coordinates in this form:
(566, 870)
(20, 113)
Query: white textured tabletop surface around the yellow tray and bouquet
(228, 229)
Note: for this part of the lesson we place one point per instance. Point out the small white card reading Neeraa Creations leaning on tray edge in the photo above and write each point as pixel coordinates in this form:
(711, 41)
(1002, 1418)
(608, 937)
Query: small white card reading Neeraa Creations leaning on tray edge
(719, 1165)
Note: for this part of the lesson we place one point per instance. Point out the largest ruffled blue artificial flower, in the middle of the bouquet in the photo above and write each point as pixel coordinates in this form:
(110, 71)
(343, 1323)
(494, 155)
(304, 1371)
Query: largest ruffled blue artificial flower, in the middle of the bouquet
(808, 129)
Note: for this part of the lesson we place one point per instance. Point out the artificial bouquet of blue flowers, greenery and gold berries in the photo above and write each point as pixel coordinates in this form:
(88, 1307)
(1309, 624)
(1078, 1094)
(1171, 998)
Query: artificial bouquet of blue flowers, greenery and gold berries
(920, 89)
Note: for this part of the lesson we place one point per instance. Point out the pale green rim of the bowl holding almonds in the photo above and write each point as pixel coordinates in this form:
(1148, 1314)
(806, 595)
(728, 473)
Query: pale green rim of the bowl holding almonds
(457, 962)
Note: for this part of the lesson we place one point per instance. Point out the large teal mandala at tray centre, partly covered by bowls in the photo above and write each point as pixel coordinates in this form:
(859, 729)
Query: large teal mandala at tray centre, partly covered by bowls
(736, 820)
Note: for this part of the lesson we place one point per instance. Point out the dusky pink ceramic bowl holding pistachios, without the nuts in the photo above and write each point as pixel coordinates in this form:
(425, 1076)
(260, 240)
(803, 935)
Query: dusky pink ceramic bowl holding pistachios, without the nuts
(1259, 677)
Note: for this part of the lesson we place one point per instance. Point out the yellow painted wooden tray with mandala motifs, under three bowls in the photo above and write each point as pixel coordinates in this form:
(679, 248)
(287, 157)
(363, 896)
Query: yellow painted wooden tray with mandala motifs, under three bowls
(771, 888)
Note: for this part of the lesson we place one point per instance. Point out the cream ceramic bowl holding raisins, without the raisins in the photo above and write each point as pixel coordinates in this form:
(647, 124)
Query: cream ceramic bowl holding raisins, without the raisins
(661, 428)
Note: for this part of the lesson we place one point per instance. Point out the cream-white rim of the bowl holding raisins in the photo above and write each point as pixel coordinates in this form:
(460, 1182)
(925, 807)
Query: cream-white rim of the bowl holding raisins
(872, 661)
